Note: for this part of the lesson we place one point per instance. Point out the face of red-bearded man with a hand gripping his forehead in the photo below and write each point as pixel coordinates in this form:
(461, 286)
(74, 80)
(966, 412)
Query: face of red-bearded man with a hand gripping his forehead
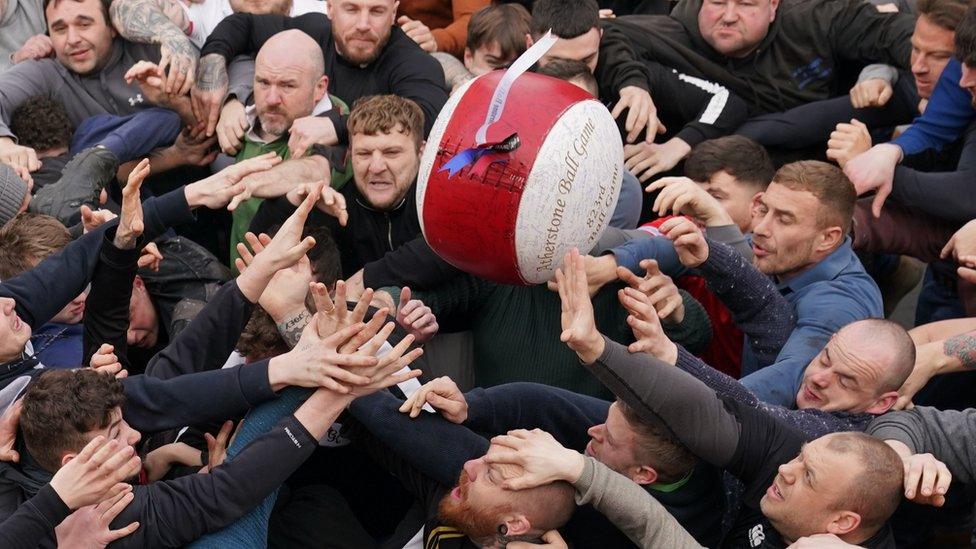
(473, 505)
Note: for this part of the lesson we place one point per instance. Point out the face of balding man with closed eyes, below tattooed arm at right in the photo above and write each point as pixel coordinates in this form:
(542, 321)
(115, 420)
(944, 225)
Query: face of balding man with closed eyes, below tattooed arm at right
(846, 375)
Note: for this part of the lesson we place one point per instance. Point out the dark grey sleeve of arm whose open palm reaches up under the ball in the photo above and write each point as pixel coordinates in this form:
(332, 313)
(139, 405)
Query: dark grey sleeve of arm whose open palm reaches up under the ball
(691, 411)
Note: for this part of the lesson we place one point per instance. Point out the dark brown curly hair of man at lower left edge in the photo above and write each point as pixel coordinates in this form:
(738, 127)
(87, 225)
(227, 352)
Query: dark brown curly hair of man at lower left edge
(61, 407)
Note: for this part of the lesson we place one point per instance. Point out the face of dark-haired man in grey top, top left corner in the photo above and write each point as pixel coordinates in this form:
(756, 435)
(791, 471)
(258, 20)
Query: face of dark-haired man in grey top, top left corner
(82, 38)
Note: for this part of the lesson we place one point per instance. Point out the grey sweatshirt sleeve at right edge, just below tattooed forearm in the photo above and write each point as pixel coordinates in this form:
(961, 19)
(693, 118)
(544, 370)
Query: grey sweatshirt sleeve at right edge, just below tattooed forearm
(949, 435)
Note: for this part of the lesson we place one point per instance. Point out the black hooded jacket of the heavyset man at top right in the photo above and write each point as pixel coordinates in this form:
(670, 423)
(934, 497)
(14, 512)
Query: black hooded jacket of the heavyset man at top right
(798, 60)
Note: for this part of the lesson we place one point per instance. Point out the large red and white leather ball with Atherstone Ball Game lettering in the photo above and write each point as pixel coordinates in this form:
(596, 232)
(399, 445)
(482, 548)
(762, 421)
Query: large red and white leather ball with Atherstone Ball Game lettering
(513, 222)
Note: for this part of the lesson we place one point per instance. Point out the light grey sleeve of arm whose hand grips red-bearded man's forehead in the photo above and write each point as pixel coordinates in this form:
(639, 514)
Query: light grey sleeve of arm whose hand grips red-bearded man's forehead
(630, 508)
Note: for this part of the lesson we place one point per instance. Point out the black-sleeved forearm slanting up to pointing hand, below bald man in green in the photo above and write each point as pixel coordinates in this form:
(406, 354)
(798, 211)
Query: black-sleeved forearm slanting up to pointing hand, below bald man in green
(208, 340)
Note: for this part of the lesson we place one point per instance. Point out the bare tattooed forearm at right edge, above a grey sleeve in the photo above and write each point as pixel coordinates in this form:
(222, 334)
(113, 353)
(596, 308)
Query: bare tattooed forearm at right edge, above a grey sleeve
(953, 354)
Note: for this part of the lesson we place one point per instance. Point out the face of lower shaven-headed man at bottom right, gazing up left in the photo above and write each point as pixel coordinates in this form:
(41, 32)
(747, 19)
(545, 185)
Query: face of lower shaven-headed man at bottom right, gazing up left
(803, 498)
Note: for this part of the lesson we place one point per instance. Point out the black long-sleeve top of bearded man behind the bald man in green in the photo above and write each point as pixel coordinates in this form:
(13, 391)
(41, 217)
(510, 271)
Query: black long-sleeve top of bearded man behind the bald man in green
(402, 68)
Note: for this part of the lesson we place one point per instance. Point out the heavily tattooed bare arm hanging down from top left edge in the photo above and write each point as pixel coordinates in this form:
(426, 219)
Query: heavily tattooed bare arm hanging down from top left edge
(165, 23)
